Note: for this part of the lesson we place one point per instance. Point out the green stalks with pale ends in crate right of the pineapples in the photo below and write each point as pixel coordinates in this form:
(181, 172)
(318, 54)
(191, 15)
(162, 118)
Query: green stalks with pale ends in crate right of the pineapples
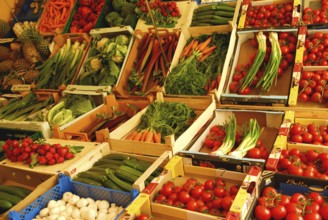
(58, 71)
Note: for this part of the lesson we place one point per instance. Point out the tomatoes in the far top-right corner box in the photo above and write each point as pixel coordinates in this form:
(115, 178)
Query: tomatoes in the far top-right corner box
(316, 16)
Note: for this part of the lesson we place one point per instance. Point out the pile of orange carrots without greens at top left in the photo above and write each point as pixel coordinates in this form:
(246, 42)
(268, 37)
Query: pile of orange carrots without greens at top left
(55, 15)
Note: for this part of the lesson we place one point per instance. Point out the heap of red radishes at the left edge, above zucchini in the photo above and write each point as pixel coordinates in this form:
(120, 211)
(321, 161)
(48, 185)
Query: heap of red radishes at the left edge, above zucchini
(38, 152)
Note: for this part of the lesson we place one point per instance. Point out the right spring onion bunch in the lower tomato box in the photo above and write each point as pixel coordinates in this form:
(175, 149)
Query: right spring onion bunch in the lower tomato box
(250, 139)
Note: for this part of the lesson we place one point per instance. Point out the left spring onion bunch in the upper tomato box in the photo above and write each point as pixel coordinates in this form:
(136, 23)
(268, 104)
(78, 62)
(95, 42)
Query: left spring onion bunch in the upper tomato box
(248, 79)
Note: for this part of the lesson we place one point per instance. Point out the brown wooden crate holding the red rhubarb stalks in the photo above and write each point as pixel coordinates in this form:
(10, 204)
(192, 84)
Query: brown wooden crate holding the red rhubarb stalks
(153, 85)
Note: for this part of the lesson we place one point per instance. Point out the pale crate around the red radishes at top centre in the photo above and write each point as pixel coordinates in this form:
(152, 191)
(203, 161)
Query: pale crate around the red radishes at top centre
(185, 10)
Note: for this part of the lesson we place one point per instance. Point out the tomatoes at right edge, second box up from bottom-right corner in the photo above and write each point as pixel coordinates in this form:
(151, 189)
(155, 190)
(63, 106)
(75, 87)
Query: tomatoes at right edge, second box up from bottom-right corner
(308, 163)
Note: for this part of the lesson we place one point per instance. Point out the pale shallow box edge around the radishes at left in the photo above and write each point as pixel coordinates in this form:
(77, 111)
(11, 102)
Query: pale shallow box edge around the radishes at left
(68, 165)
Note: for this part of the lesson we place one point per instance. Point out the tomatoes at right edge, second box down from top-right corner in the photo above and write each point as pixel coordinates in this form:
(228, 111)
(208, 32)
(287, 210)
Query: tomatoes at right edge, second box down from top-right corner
(316, 50)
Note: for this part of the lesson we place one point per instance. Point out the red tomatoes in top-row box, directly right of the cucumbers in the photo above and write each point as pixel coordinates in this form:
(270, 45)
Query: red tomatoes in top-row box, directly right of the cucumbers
(272, 15)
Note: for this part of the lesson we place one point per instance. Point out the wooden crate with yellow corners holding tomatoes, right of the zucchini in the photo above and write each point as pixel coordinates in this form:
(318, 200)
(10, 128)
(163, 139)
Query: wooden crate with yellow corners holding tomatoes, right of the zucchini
(178, 171)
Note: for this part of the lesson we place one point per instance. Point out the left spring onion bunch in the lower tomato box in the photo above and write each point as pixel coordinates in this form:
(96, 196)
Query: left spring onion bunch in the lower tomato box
(229, 140)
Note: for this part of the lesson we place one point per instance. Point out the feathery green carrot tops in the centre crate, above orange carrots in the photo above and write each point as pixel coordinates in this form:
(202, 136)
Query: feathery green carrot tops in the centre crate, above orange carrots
(167, 118)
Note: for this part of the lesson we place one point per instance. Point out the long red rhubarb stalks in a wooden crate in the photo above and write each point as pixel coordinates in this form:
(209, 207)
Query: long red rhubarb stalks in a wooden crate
(150, 69)
